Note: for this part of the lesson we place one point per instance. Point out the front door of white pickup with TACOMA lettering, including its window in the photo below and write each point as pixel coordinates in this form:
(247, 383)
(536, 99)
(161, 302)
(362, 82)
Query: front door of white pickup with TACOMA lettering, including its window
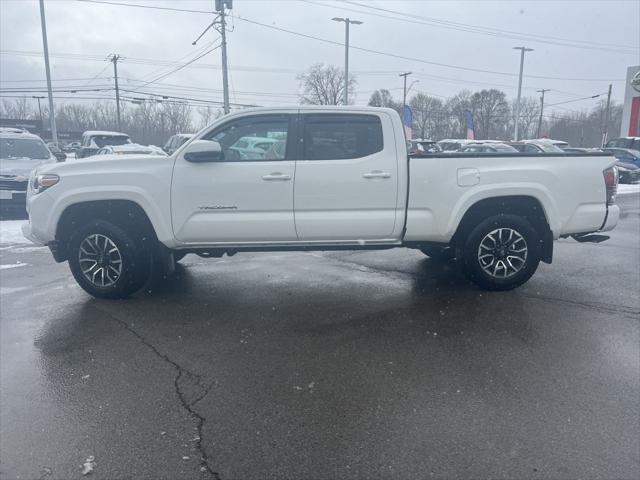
(247, 196)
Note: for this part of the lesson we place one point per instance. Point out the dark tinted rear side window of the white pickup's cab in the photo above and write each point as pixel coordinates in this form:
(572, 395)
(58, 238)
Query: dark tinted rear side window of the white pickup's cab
(340, 137)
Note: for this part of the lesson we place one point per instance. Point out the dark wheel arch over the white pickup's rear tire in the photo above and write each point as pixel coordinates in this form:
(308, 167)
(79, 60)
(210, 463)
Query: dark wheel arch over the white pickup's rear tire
(522, 205)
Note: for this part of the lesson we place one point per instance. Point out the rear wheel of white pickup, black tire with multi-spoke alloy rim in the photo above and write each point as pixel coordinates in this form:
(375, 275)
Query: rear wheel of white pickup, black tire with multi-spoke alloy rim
(509, 261)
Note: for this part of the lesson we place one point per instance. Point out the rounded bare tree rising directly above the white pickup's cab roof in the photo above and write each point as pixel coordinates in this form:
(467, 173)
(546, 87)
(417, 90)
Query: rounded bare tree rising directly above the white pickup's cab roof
(324, 85)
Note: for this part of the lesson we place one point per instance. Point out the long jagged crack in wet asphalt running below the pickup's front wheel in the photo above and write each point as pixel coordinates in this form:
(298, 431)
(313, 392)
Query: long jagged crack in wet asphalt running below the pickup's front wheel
(185, 383)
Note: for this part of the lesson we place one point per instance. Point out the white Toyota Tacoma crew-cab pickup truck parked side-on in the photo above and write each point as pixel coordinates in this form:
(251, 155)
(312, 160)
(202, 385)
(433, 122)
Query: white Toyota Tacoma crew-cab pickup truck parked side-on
(314, 178)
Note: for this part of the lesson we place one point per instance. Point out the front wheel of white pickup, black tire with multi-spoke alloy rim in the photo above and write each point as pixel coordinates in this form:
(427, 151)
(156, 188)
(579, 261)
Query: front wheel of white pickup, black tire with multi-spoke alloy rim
(127, 267)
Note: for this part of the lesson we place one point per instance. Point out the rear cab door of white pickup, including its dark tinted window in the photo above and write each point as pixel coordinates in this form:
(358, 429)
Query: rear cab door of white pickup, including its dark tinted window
(347, 177)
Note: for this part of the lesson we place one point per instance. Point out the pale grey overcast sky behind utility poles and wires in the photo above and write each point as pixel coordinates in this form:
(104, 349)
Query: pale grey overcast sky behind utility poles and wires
(443, 42)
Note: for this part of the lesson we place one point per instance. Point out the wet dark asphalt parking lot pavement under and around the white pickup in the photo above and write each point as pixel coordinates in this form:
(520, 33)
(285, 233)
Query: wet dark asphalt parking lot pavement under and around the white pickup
(326, 365)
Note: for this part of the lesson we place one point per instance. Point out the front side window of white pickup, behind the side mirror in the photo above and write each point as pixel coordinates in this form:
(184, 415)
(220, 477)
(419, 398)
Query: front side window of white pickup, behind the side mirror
(245, 139)
